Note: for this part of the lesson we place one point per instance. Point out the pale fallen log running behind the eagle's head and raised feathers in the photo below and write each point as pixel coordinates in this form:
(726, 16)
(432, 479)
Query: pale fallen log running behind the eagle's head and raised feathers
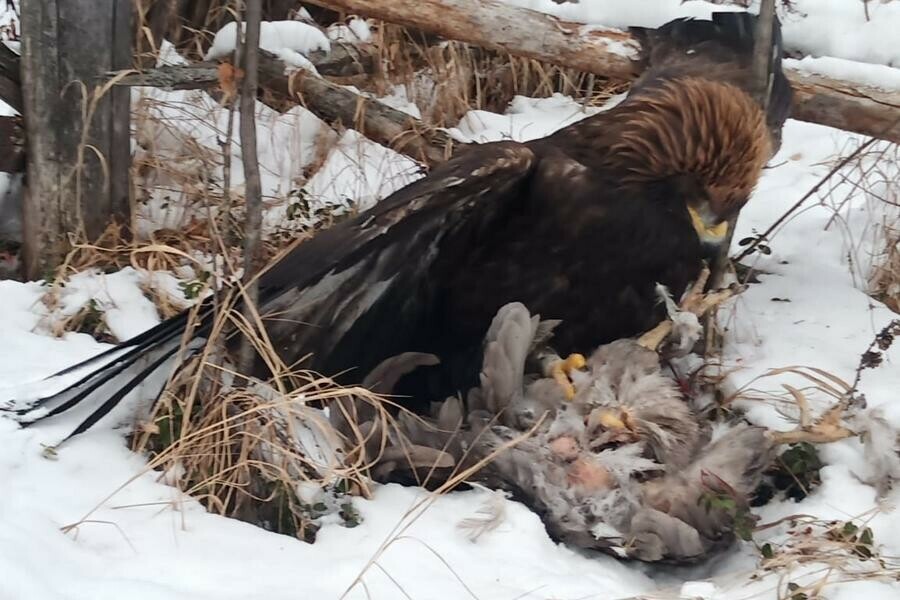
(498, 26)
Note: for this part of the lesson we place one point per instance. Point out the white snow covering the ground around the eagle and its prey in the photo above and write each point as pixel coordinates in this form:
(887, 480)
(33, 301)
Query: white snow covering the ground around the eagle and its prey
(138, 538)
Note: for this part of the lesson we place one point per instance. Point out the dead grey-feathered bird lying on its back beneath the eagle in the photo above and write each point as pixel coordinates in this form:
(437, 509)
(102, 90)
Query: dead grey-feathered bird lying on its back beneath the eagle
(620, 465)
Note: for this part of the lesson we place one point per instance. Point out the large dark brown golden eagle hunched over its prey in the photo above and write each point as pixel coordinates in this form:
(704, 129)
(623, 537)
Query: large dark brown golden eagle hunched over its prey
(578, 226)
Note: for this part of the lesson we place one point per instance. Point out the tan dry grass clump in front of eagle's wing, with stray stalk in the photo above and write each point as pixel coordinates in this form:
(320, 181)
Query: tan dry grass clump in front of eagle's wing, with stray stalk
(265, 452)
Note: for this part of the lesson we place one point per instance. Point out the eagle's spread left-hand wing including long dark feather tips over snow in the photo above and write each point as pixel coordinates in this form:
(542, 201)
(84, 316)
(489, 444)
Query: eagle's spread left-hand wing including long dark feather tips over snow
(365, 278)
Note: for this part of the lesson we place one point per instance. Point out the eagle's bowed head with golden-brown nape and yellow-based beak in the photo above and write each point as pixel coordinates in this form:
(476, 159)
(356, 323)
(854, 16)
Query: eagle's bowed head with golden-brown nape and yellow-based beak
(706, 141)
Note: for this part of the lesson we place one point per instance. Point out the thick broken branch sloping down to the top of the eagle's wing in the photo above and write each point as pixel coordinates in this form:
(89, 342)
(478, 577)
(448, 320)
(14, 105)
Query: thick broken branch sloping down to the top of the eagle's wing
(377, 121)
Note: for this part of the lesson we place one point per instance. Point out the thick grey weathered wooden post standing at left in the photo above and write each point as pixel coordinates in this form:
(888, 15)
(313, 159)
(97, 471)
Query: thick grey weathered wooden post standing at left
(77, 178)
